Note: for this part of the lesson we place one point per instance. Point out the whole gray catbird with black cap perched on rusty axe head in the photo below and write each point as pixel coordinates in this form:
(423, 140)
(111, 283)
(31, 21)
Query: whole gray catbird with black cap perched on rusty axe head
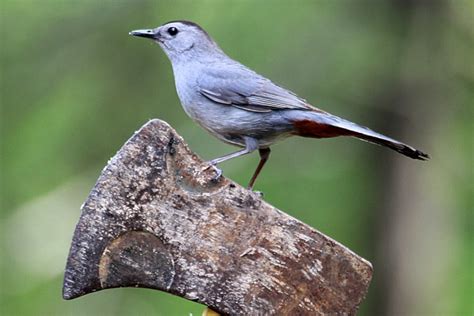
(241, 107)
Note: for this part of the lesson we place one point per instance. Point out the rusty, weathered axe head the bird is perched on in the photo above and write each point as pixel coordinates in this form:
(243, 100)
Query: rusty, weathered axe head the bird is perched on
(158, 218)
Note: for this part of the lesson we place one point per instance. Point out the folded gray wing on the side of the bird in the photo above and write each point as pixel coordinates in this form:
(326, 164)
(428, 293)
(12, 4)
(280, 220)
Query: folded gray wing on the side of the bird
(238, 86)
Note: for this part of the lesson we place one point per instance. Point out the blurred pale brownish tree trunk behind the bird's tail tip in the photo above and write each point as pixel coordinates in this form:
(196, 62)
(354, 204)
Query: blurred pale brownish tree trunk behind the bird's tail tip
(411, 220)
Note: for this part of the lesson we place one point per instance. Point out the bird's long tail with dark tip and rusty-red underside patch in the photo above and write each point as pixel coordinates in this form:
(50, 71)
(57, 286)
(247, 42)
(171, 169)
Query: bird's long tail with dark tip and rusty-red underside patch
(324, 125)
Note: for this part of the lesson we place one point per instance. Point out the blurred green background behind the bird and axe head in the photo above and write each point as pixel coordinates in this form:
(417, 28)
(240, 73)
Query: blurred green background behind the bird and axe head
(75, 86)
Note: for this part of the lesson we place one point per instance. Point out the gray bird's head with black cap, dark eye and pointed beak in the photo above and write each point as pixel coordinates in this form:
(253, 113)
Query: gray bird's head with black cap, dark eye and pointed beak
(180, 39)
